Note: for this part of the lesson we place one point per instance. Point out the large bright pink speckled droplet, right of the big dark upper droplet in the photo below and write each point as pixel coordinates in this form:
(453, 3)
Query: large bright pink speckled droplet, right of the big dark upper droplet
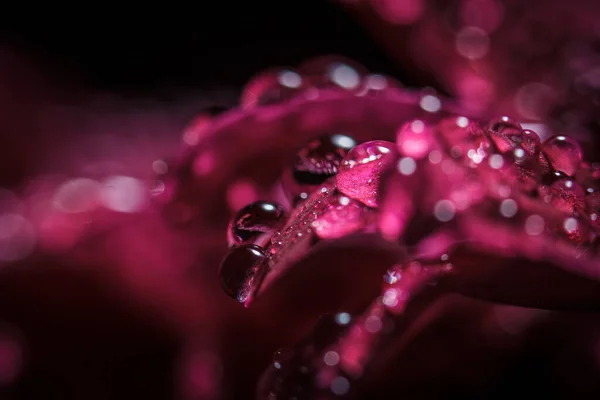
(360, 171)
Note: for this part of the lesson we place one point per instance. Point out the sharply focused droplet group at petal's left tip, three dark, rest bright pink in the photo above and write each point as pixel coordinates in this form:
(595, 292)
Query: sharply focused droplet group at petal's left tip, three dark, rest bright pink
(335, 196)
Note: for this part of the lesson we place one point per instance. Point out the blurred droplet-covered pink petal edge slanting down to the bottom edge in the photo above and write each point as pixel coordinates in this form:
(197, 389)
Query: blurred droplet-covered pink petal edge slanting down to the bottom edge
(336, 355)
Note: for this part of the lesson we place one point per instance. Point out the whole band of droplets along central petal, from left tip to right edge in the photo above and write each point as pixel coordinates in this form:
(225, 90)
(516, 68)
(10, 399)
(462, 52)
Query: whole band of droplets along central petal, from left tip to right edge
(335, 185)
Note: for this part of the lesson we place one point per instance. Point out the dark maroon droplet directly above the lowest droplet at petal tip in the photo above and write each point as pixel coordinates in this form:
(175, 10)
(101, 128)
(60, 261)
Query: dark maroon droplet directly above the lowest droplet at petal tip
(253, 221)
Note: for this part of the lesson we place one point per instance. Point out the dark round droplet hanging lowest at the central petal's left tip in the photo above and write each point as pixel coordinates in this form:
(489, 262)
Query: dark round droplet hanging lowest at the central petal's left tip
(240, 270)
